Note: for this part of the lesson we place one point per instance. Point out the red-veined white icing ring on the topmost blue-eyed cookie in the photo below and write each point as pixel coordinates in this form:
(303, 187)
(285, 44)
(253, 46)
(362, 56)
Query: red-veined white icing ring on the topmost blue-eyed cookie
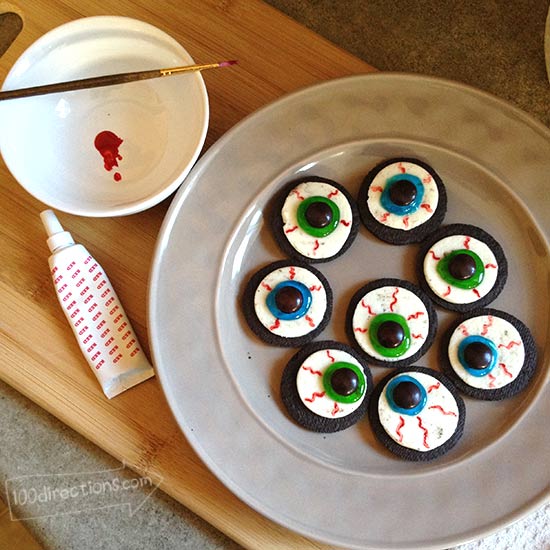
(428, 205)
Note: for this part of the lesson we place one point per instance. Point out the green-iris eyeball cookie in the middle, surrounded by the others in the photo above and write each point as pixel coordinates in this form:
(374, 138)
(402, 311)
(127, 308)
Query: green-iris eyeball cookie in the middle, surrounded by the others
(392, 322)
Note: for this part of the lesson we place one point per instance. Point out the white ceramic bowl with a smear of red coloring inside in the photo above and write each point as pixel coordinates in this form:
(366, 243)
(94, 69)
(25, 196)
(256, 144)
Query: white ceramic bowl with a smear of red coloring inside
(49, 142)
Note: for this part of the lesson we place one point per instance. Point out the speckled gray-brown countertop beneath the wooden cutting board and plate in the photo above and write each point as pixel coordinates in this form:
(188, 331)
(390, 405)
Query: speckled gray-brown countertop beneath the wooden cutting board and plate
(484, 44)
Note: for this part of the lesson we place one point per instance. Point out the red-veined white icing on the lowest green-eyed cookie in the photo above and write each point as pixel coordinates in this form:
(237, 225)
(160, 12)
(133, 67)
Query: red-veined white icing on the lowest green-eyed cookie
(309, 382)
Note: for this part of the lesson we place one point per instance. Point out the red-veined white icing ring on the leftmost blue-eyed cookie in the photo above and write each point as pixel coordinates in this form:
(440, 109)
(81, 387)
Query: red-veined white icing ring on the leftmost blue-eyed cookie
(296, 327)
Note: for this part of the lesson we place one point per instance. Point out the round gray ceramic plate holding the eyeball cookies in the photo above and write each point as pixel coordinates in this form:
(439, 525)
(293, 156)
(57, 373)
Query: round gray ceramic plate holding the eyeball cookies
(222, 382)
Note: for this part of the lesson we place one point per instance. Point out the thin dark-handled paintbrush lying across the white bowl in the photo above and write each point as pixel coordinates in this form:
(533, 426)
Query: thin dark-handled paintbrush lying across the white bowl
(107, 80)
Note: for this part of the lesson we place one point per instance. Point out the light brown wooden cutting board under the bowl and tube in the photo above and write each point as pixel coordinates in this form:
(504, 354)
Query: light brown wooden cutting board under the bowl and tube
(40, 356)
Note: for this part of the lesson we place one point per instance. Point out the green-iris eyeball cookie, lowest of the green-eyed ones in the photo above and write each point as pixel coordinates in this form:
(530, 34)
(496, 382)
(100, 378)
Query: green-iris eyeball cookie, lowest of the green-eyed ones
(325, 387)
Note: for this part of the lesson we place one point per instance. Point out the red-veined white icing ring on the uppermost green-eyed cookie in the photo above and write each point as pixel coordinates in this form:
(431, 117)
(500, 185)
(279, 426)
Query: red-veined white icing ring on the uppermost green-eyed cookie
(304, 243)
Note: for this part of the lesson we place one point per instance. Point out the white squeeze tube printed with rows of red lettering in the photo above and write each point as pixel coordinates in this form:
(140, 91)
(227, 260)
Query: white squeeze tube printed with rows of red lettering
(94, 312)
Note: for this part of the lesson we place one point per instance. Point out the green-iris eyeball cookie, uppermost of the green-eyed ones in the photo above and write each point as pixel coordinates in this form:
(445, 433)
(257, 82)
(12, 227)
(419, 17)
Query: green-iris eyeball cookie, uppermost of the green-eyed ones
(314, 219)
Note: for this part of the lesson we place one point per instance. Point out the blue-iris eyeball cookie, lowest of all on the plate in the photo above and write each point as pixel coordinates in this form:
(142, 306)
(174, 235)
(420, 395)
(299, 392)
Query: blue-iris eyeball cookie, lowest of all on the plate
(417, 414)
